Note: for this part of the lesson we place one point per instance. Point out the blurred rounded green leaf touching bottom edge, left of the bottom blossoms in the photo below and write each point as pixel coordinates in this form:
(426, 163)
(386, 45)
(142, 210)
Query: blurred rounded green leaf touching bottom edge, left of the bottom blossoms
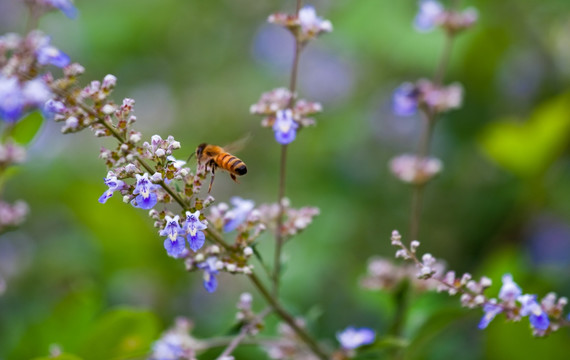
(120, 334)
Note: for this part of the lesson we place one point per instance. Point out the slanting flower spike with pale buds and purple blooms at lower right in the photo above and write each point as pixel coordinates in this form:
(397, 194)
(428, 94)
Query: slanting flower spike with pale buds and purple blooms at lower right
(544, 317)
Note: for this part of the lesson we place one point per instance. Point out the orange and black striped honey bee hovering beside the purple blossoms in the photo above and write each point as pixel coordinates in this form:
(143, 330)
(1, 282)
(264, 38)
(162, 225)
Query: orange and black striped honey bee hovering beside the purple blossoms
(216, 157)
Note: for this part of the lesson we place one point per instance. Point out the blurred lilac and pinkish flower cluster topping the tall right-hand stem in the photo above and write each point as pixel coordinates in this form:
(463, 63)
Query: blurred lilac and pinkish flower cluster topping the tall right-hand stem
(431, 14)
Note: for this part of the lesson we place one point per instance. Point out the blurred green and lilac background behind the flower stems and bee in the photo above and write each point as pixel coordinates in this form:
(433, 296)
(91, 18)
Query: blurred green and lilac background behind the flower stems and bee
(194, 67)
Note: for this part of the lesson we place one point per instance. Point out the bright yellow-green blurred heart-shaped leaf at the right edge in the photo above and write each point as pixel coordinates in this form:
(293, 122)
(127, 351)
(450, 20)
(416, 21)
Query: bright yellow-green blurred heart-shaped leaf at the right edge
(528, 148)
